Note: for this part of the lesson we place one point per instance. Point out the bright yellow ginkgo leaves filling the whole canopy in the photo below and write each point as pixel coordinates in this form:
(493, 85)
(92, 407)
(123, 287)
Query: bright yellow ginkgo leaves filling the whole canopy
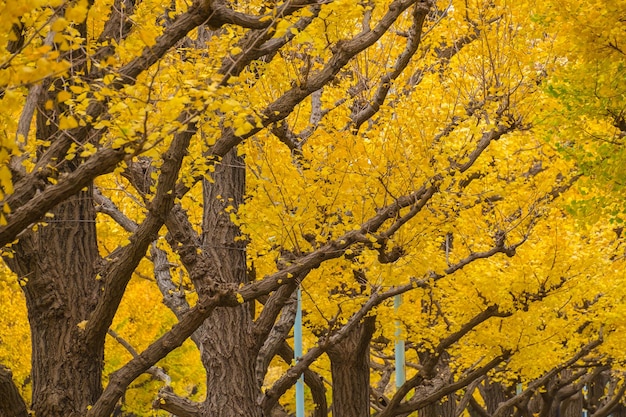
(315, 176)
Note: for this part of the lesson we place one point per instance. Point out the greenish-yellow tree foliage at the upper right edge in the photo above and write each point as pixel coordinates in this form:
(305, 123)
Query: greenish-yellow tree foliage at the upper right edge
(584, 100)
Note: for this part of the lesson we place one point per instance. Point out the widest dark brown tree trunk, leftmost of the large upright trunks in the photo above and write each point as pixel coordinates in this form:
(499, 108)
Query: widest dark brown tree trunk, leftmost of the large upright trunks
(57, 265)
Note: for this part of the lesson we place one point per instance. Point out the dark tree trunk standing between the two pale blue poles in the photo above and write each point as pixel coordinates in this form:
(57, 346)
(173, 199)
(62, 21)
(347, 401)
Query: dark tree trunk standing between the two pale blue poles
(349, 361)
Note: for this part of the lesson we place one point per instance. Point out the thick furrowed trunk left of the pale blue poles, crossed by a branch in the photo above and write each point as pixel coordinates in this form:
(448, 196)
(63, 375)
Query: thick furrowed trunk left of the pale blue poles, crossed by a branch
(227, 352)
